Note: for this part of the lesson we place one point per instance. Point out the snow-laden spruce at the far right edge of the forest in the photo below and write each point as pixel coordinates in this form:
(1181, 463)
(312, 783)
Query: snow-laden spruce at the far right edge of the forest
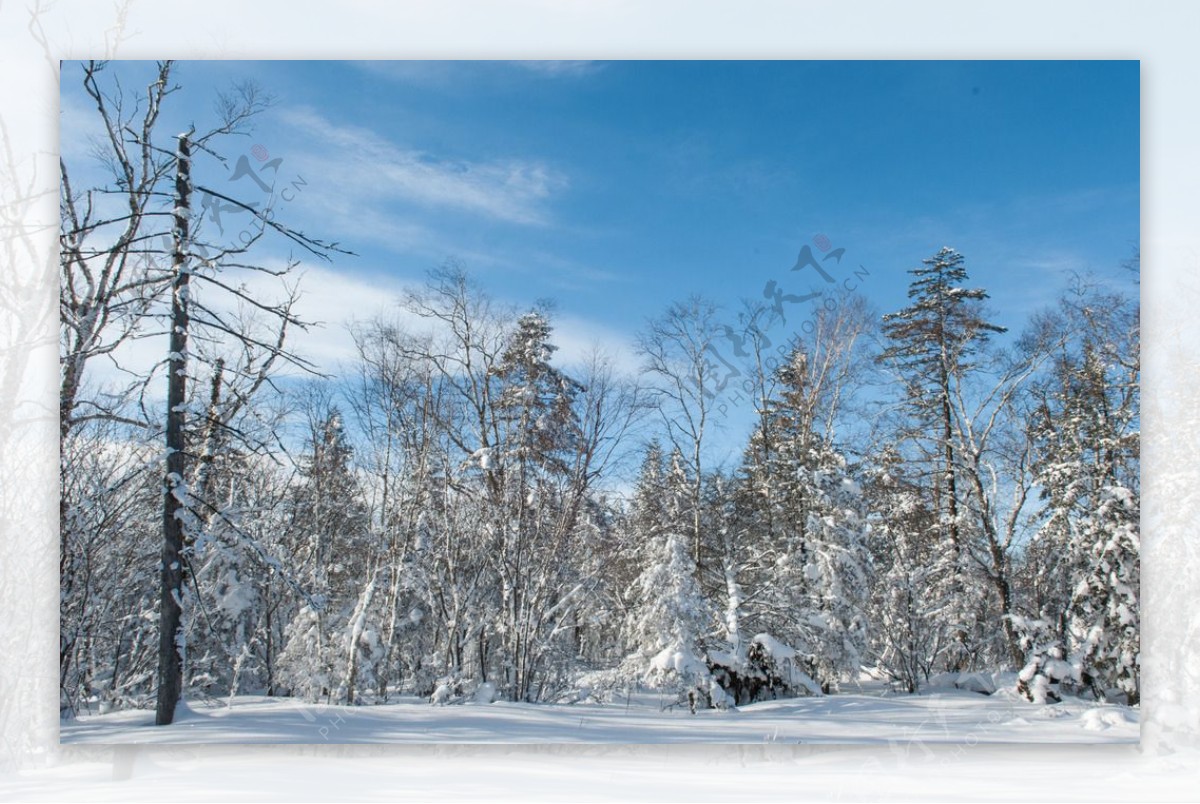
(1088, 437)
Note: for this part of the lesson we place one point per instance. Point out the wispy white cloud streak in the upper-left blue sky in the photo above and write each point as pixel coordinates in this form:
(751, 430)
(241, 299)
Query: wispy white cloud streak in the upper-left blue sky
(377, 170)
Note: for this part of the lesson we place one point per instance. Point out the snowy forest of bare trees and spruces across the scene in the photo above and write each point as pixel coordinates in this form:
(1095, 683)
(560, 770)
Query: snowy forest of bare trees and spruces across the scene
(458, 514)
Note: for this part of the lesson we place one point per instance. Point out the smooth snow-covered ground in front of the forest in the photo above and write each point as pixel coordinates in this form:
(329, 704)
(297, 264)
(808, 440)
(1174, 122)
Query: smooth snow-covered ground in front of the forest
(944, 716)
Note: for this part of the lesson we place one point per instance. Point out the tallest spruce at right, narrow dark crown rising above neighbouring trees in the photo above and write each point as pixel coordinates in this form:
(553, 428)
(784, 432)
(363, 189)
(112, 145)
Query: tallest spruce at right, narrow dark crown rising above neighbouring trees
(932, 344)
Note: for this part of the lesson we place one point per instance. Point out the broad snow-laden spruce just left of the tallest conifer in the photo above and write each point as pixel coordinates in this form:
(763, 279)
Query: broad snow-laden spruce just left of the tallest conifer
(815, 586)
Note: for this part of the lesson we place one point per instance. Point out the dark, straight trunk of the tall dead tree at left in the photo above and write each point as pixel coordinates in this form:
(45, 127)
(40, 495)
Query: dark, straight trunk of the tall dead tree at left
(171, 649)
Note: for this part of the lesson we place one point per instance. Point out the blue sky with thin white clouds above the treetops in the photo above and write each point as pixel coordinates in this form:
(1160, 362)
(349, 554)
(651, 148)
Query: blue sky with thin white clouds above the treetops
(619, 188)
